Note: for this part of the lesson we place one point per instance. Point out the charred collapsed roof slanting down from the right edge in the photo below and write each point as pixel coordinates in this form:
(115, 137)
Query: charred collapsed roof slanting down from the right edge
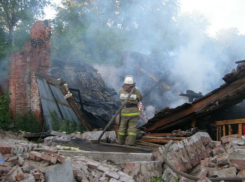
(228, 94)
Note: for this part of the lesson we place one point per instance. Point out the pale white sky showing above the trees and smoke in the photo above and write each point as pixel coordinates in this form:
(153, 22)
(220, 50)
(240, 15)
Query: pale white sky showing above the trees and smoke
(221, 14)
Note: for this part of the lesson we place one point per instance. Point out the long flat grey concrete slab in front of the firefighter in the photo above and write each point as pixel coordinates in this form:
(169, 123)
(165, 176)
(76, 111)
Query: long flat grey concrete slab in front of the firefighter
(119, 158)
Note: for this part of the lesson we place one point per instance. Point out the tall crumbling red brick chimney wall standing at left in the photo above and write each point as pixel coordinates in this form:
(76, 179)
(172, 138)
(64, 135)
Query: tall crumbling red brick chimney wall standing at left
(34, 56)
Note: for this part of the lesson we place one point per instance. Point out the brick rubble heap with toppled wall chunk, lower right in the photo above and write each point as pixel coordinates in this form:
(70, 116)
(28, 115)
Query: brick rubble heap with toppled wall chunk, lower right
(200, 156)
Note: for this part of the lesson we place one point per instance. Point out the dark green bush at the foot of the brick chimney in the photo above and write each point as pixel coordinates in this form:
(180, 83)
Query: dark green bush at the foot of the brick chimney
(28, 122)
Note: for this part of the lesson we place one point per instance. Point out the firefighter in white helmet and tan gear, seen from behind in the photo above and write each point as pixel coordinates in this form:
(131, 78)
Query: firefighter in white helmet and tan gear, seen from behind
(130, 112)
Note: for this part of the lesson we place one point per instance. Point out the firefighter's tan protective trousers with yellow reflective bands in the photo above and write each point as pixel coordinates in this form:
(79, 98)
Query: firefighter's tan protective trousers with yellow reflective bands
(128, 127)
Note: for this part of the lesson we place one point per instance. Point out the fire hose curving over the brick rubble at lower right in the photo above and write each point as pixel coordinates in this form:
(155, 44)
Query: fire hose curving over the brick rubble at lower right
(194, 177)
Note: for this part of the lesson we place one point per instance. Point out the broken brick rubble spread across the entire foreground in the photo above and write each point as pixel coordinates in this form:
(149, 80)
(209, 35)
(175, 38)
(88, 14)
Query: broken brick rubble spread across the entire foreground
(197, 155)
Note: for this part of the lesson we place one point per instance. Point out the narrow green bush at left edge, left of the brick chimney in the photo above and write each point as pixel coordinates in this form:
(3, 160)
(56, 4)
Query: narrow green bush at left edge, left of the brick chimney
(4, 110)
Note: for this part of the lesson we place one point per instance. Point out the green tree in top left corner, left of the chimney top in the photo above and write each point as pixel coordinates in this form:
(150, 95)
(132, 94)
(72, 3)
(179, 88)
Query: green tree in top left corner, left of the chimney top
(13, 12)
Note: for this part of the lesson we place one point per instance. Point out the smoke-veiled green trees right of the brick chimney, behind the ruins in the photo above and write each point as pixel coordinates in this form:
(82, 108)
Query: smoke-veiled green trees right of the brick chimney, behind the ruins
(96, 31)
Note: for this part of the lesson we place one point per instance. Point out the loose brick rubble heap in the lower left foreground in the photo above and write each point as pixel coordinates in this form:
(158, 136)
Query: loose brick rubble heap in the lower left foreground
(27, 162)
